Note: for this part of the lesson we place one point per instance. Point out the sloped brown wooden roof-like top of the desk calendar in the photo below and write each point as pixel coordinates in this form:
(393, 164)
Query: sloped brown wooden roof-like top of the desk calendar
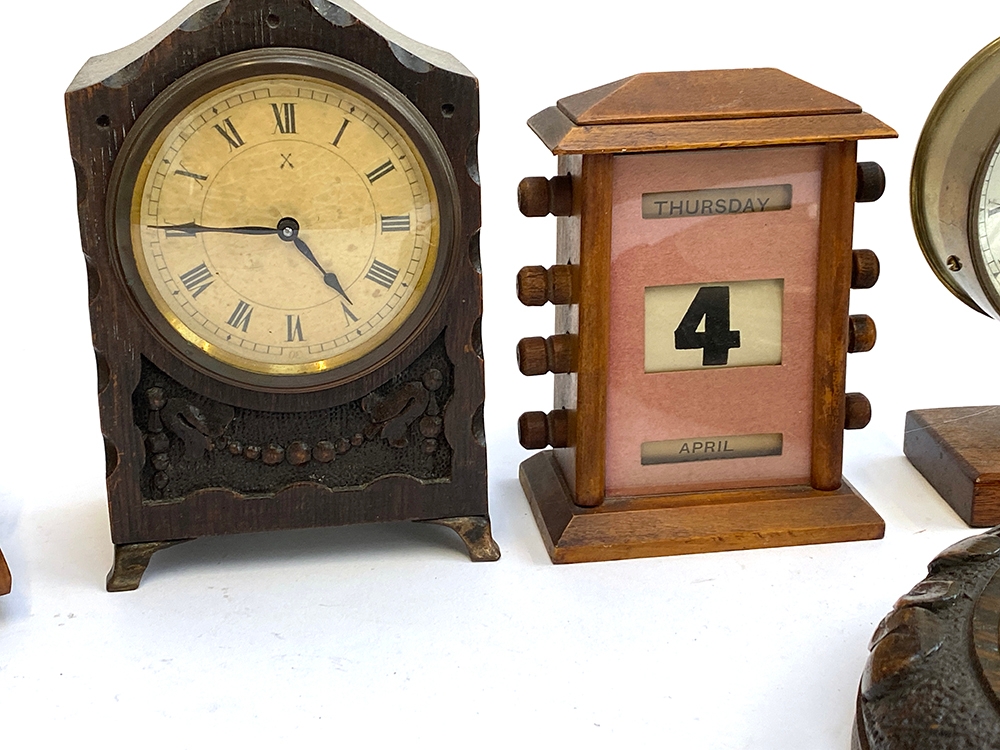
(702, 109)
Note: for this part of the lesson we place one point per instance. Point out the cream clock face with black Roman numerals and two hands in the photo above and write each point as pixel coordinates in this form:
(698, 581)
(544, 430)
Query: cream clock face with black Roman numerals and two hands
(284, 225)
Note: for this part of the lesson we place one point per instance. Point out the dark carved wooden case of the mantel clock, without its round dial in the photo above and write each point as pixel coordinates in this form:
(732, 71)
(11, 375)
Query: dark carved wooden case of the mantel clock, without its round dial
(190, 453)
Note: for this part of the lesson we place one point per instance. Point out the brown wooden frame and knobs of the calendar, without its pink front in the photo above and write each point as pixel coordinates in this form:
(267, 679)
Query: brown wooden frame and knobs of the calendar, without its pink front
(688, 111)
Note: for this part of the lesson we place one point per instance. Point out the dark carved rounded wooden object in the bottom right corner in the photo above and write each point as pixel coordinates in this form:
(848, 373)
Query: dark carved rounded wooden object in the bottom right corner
(932, 679)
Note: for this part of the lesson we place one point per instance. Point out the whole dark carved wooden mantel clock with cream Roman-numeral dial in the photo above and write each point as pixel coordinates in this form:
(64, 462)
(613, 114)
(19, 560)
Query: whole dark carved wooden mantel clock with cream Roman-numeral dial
(279, 205)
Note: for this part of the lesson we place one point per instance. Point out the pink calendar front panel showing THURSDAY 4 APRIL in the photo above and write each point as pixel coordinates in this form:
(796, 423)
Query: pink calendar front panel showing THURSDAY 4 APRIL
(713, 297)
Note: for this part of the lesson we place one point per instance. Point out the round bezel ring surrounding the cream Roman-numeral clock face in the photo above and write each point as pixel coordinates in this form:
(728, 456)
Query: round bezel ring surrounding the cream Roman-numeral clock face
(236, 68)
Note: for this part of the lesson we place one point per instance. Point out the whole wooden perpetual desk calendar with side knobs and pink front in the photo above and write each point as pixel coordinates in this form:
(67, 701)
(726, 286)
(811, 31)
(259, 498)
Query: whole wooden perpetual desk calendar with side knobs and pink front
(704, 269)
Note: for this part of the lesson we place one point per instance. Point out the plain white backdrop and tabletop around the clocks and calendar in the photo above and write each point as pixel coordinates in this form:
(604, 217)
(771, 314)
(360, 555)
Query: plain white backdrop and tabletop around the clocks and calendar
(370, 635)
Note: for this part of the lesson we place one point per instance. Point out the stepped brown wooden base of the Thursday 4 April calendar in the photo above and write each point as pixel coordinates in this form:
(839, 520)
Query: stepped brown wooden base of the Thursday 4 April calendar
(690, 523)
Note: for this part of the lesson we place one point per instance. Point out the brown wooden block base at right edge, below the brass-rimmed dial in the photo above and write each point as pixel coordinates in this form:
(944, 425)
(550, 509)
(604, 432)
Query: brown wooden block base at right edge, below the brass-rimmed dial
(958, 452)
